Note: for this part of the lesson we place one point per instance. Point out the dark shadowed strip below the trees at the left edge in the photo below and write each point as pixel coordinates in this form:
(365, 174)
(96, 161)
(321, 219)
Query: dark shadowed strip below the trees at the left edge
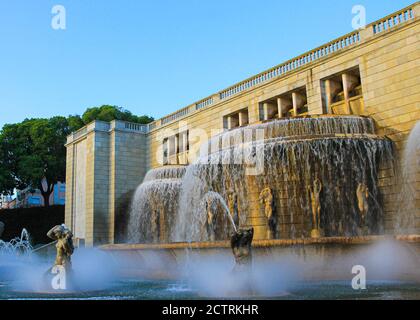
(36, 220)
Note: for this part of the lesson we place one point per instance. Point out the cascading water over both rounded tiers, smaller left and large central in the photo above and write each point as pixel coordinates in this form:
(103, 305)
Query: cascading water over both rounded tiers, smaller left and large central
(281, 160)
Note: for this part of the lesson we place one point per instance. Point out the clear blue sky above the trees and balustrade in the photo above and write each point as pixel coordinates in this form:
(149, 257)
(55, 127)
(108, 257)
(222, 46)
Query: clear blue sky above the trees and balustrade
(153, 57)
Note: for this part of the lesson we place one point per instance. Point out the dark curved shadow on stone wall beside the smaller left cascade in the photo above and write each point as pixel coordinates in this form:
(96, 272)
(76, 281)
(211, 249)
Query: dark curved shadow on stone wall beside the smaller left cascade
(122, 214)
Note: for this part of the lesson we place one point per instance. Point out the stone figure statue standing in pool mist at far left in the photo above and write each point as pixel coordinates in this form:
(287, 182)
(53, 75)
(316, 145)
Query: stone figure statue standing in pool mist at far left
(64, 245)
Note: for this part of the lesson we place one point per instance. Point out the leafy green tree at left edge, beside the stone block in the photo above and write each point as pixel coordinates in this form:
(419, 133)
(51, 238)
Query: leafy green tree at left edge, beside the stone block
(33, 152)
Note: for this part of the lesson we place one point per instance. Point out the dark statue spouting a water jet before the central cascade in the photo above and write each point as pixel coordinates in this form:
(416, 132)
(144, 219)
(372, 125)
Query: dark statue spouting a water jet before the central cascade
(240, 243)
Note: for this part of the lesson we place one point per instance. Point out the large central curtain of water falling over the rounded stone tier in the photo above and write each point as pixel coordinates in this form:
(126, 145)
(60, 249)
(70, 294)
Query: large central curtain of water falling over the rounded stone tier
(341, 152)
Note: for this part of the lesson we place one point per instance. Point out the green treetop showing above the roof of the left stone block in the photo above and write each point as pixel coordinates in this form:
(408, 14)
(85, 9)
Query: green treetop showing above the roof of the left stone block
(109, 113)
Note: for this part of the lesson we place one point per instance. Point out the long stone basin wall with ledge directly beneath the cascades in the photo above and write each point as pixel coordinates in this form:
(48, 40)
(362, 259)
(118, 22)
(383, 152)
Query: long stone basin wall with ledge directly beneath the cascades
(389, 258)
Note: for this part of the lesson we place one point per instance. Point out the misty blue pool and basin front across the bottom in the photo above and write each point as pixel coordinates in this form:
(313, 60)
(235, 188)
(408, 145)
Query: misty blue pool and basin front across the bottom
(318, 270)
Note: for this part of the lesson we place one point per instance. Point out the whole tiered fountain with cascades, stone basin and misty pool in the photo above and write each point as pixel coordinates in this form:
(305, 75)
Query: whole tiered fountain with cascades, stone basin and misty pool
(294, 230)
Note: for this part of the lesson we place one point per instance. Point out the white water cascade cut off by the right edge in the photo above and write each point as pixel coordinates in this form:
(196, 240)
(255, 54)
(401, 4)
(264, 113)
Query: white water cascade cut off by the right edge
(409, 191)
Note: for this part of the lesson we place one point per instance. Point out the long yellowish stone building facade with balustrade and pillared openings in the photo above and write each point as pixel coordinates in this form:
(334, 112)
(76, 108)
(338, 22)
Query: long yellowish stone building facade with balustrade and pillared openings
(378, 65)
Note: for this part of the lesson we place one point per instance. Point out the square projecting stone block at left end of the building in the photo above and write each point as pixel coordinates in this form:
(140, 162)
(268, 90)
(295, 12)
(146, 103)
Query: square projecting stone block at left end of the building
(116, 160)
